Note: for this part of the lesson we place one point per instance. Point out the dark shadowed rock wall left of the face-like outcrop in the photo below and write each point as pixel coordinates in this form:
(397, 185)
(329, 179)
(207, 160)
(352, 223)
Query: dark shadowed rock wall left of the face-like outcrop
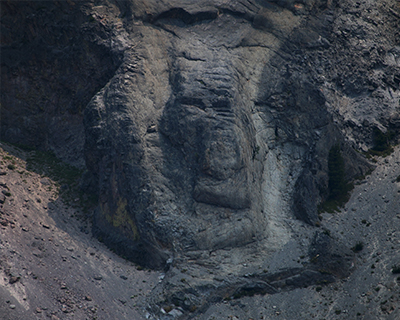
(54, 58)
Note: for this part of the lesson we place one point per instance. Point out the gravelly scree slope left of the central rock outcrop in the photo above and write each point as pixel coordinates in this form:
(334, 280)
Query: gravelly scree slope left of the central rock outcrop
(50, 265)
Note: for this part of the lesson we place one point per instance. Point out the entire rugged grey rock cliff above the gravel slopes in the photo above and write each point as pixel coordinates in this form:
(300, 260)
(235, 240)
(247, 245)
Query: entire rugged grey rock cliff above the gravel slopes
(209, 125)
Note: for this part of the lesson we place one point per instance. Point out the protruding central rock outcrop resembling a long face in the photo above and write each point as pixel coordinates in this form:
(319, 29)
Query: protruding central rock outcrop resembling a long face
(191, 143)
